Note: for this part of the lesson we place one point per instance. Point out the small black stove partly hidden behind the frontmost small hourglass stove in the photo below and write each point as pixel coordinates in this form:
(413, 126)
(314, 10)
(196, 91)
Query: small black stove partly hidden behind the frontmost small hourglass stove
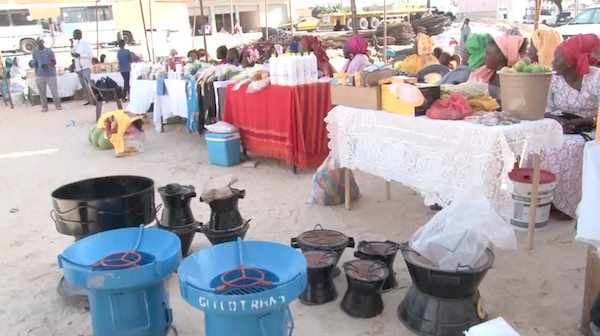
(384, 252)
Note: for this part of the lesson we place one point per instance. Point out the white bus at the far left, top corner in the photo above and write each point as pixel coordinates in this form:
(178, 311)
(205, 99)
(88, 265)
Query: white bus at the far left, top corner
(19, 31)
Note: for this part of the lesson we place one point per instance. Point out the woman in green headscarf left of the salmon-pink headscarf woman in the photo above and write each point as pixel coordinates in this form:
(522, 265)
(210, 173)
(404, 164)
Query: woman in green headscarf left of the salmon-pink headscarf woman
(472, 59)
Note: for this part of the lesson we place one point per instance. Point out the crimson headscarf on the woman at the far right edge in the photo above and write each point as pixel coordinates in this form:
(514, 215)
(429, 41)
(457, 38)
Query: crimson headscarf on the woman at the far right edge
(578, 51)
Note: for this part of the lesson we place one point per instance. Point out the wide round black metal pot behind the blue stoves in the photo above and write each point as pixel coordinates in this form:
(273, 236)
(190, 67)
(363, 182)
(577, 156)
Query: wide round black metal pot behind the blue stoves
(86, 207)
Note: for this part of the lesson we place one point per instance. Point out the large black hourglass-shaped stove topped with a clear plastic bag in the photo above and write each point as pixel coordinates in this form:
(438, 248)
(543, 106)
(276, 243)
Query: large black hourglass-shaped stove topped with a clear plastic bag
(442, 303)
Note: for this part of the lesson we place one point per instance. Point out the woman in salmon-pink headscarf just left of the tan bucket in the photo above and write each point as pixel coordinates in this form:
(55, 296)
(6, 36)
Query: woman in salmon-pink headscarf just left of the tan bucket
(500, 52)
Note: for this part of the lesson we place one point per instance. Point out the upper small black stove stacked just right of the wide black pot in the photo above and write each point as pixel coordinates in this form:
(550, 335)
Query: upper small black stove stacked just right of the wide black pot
(176, 202)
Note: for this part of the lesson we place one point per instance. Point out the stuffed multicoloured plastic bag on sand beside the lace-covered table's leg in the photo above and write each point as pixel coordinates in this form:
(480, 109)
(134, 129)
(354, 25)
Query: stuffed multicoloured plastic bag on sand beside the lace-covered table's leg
(329, 185)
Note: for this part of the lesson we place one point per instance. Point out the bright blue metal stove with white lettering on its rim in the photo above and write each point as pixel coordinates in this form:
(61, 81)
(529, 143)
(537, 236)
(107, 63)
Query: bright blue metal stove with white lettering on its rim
(244, 287)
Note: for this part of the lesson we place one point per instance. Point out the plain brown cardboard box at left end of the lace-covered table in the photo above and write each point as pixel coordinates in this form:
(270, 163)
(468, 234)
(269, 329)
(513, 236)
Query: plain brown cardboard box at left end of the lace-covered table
(367, 98)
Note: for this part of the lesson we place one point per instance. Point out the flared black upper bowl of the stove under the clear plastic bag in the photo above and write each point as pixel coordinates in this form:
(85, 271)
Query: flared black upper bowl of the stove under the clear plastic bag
(430, 280)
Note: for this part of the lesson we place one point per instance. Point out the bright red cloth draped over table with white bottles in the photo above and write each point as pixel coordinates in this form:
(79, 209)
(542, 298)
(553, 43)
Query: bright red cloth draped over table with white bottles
(285, 122)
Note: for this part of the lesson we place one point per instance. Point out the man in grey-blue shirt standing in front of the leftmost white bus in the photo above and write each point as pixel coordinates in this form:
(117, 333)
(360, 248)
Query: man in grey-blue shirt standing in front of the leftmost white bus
(45, 74)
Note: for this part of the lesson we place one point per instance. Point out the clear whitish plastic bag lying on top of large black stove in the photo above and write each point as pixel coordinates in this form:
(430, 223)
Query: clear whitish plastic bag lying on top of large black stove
(459, 234)
